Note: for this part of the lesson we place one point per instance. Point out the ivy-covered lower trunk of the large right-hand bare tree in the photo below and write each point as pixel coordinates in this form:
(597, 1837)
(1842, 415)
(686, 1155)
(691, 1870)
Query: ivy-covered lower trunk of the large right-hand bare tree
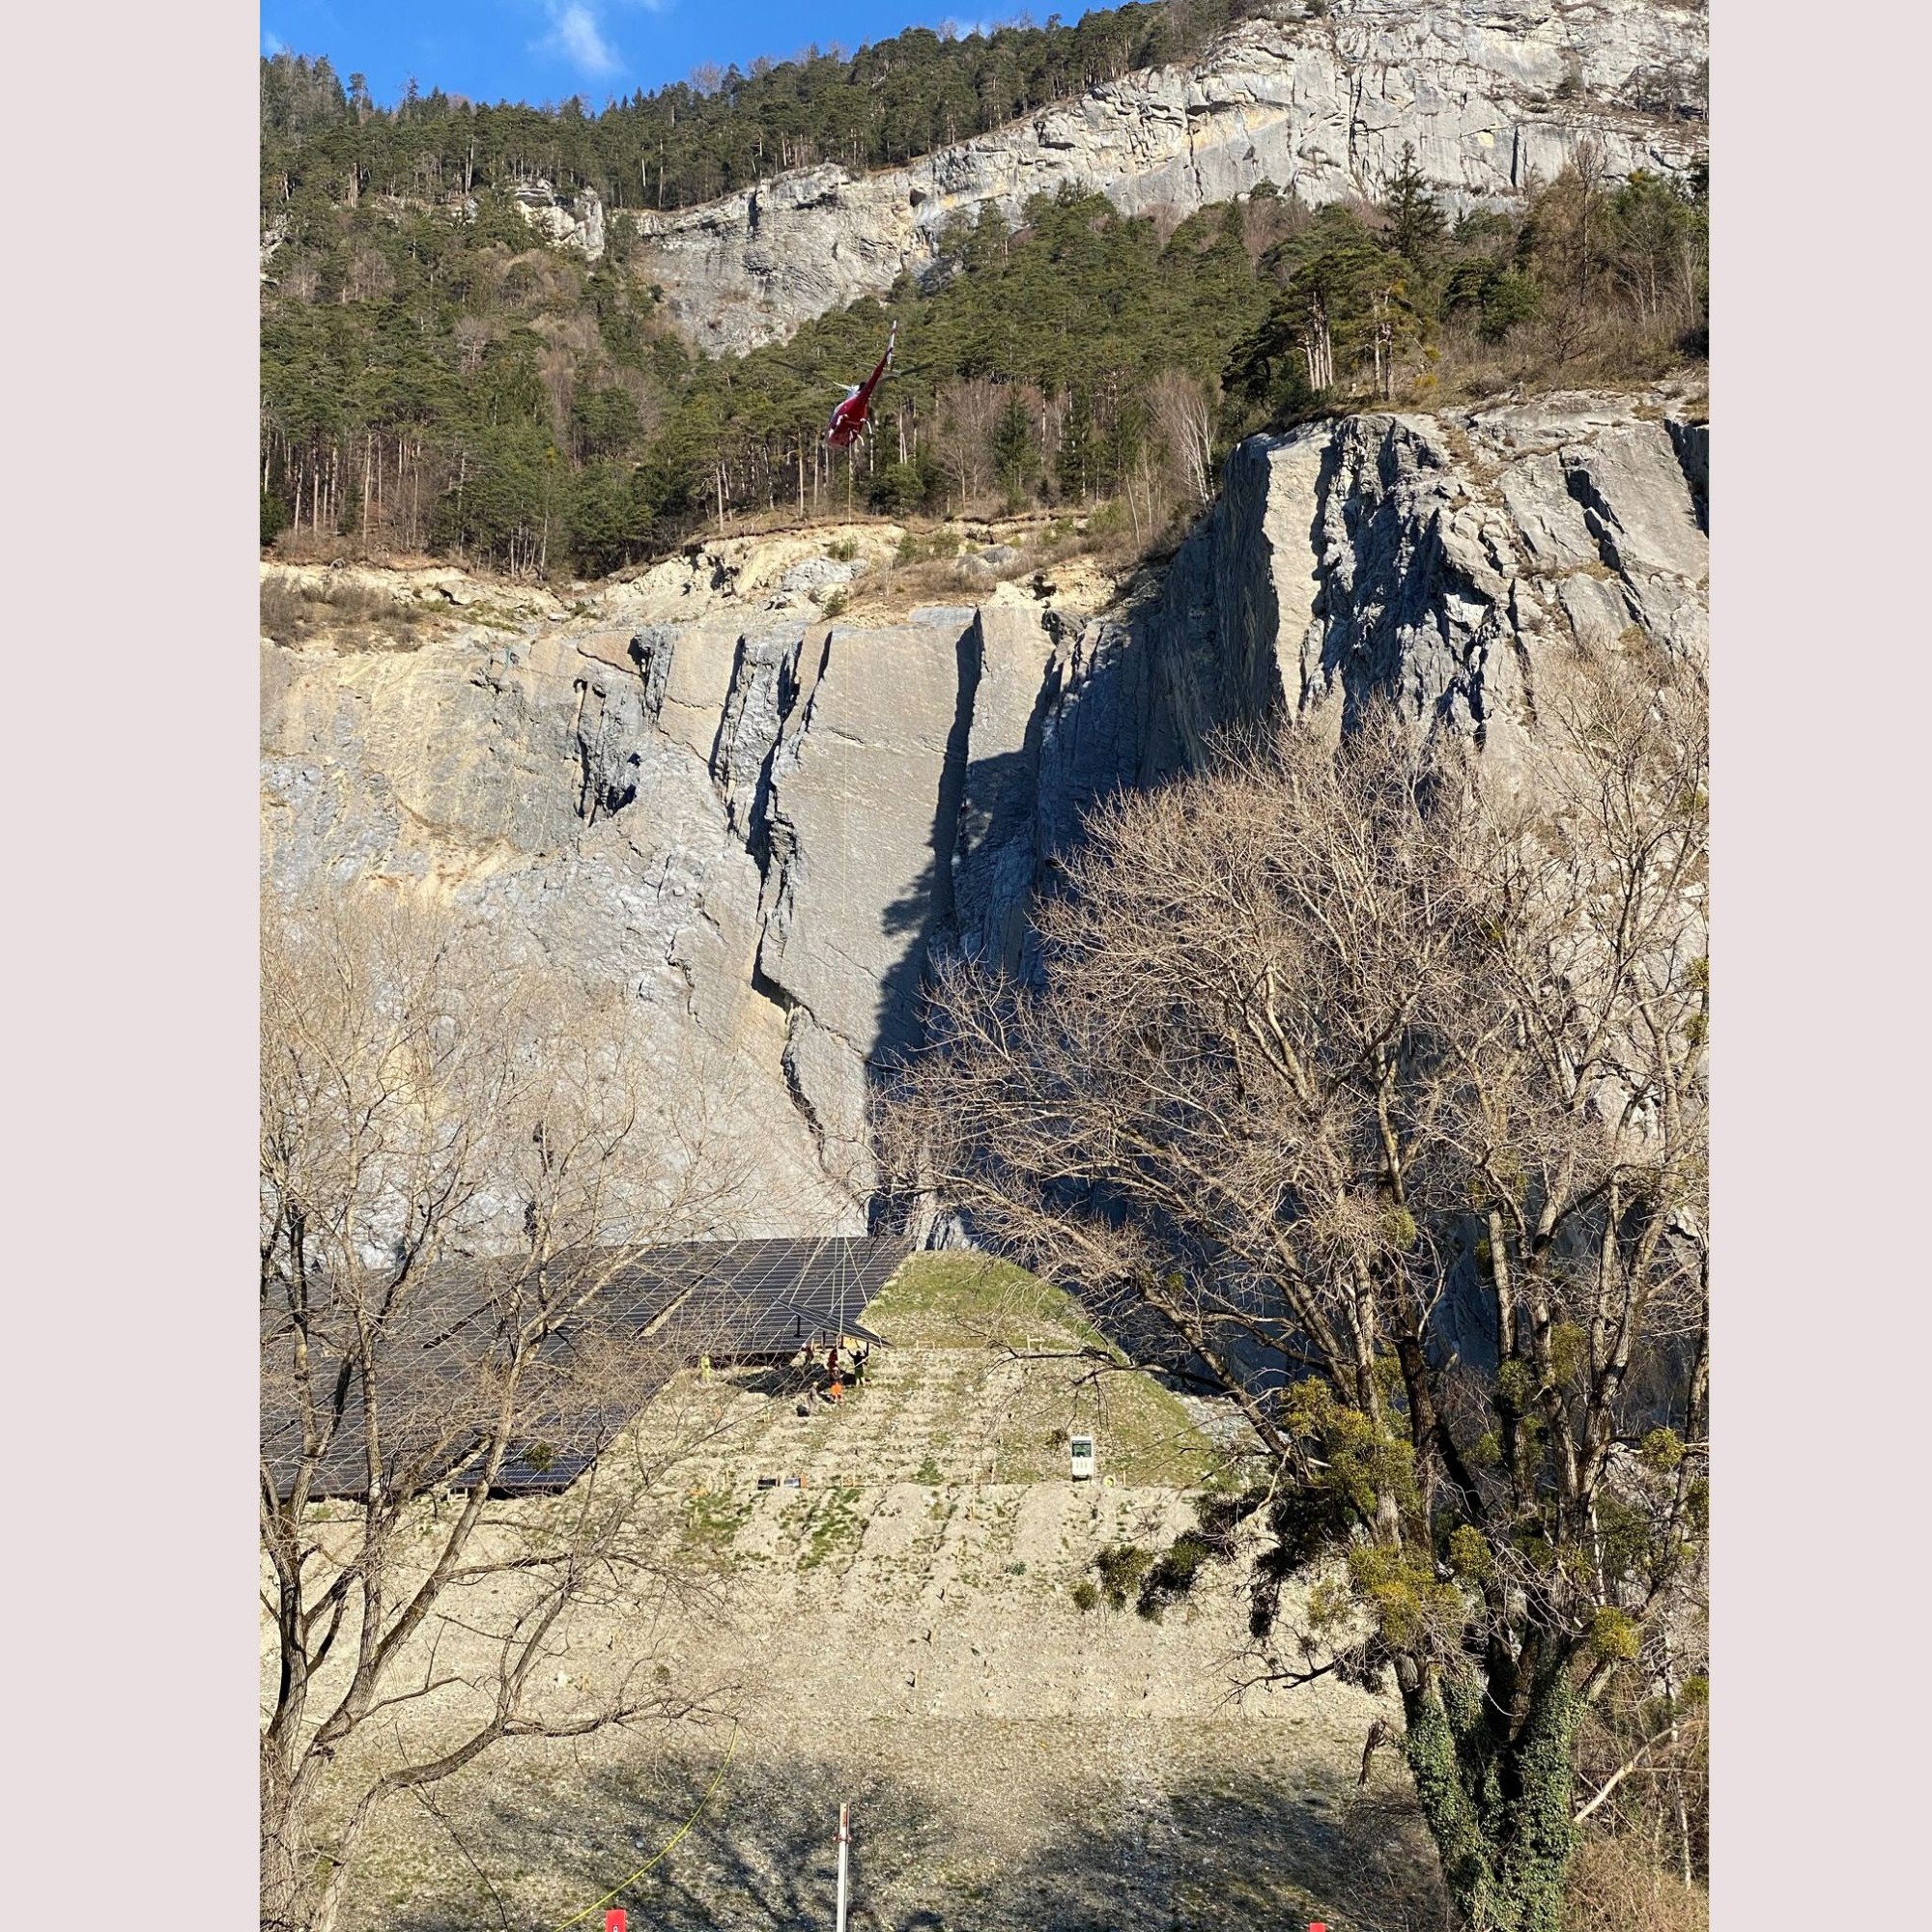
(1496, 1786)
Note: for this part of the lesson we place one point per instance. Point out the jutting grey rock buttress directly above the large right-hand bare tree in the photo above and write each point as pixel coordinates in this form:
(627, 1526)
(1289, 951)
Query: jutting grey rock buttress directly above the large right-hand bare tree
(1435, 561)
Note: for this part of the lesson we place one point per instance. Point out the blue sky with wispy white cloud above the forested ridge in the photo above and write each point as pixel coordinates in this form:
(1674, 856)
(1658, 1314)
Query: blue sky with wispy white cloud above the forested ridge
(552, 49)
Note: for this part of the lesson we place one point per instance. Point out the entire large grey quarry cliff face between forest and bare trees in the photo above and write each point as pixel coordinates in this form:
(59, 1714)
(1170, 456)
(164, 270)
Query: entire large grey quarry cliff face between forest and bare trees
(762, 824)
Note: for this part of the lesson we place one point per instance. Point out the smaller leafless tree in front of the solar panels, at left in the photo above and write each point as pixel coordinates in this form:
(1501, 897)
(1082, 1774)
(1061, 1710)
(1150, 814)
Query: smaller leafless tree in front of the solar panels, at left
(445, 1149)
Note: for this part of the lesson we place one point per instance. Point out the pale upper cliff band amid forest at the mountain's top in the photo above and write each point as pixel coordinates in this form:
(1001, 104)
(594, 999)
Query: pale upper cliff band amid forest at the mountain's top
(1489, 92)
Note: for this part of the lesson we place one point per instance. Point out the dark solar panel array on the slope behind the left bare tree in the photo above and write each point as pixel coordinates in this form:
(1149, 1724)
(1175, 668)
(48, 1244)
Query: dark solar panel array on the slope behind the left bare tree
(625, 1315)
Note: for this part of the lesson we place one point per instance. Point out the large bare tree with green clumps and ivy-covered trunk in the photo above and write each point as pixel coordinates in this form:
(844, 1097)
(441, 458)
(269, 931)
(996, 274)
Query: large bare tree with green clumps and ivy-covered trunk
(1380, 1087)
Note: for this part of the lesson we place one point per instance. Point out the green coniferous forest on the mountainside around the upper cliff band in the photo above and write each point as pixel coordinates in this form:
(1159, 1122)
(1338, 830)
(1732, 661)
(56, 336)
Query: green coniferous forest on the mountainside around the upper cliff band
(440, 382)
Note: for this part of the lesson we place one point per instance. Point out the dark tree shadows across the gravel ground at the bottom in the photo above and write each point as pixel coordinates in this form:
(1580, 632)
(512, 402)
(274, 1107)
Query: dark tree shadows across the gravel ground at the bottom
(1094, 1844)
